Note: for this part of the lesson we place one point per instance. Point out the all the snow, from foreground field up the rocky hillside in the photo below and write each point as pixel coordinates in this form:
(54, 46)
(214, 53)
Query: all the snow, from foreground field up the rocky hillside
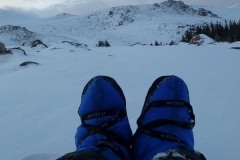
(39, 103)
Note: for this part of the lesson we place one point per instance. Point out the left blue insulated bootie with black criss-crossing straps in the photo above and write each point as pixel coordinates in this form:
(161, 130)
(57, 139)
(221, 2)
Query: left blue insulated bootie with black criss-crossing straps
(104, 125)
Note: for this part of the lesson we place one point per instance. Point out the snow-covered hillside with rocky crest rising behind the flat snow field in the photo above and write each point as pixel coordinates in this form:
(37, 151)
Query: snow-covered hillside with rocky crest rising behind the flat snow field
(126, 25)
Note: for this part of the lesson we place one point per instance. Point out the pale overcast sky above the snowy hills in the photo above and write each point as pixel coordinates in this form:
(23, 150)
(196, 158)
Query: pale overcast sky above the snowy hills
(46, 8)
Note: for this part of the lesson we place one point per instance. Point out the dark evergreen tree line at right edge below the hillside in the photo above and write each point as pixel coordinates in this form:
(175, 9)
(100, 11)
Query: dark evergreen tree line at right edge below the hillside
(229, 31)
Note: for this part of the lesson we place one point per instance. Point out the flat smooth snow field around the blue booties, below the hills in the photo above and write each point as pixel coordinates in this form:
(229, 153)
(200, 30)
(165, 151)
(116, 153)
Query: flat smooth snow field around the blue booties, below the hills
(38, 113)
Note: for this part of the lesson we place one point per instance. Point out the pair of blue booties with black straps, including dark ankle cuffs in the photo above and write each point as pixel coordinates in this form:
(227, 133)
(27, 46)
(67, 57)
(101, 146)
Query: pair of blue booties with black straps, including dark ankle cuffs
(164, 127)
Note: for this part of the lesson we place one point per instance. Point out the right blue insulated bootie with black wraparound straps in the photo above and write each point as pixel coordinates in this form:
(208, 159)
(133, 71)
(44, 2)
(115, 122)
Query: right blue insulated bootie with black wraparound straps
(166, 120)
